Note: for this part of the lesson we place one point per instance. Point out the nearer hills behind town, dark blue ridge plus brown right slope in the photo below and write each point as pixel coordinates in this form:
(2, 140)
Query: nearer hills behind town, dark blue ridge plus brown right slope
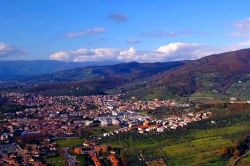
(220, 75)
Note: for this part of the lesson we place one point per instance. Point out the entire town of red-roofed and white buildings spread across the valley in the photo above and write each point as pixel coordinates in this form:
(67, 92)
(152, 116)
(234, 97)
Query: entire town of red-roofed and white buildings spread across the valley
(28, 134)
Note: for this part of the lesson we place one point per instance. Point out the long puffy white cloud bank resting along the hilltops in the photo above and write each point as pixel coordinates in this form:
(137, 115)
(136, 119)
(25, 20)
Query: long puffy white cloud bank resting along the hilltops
(169, 52)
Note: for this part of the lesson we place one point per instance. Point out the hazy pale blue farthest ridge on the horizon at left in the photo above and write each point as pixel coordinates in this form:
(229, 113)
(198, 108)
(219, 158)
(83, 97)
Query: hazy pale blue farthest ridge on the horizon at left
(13, 70)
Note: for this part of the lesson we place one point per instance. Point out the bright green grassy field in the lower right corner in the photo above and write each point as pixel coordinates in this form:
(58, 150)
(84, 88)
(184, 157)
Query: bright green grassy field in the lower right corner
(204, 150)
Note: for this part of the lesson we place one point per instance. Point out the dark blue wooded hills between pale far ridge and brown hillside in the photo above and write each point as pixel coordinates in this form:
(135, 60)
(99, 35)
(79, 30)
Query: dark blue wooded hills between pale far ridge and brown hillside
(92, 80)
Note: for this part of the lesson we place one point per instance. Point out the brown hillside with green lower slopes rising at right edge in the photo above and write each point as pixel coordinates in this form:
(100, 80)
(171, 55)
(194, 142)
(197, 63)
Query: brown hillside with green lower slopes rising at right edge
(226, 74)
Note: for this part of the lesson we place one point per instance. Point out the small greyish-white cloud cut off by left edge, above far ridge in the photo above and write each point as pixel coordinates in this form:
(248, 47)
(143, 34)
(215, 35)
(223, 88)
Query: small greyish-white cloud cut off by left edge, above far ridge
(8, 51)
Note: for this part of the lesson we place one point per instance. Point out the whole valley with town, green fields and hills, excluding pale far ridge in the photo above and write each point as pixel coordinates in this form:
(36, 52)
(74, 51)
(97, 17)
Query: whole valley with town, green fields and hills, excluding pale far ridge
(170, 113)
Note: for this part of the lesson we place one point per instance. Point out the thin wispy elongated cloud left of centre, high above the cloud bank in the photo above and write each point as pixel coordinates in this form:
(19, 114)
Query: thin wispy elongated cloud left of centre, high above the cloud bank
(91, 31)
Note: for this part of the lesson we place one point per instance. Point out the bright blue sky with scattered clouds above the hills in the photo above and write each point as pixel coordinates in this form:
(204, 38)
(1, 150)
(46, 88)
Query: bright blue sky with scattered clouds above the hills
(124, 31)
